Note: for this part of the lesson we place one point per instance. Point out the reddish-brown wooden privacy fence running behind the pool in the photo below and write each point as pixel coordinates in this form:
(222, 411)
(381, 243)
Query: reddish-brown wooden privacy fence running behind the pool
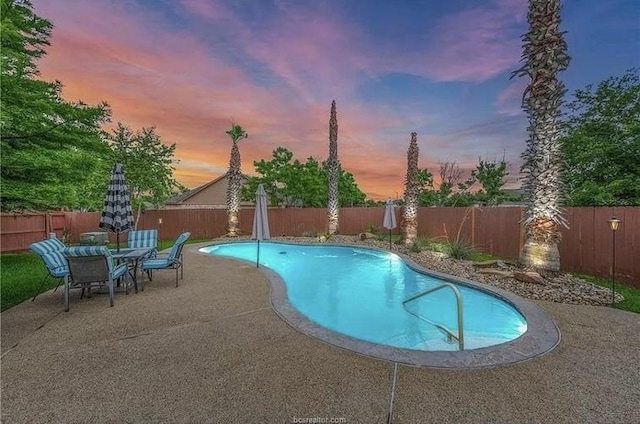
(586, 246)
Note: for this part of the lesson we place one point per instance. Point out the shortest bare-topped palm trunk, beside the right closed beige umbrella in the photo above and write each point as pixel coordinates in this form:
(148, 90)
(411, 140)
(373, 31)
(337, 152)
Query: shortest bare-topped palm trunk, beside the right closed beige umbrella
(409, 225)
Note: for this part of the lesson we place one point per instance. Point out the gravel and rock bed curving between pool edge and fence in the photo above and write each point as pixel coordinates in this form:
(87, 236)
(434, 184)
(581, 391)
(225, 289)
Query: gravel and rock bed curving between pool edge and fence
(557, 287)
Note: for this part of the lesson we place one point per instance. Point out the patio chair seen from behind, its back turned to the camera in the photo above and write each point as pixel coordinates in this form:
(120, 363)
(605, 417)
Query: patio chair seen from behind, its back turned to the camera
(91, 266)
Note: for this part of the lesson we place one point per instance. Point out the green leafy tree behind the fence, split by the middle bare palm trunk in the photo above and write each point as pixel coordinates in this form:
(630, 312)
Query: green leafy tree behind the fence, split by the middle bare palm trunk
(290, 182)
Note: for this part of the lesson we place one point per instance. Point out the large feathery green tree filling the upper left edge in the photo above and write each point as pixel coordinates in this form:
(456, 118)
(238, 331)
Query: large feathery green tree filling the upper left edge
(52, 150)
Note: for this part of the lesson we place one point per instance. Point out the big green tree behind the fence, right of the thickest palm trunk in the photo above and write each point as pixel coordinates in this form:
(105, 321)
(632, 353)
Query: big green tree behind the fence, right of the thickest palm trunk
(601, 143)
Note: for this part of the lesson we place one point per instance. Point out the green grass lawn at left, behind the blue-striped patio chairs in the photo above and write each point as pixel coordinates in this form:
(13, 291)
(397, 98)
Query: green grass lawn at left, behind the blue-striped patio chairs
(22, 273)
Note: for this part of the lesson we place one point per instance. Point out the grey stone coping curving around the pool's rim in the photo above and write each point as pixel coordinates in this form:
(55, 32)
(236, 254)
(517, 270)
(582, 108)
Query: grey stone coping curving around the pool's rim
(541, 337)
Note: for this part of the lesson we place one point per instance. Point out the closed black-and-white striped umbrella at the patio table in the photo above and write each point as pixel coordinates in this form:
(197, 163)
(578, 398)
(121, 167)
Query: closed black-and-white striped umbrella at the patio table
(116, 214)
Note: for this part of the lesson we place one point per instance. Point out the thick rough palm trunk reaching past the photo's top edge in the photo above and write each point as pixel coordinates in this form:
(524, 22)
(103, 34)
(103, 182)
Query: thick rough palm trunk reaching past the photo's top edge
(544, 56)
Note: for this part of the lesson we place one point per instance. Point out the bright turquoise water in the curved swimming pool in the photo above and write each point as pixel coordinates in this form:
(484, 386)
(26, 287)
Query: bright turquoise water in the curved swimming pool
(359, 292)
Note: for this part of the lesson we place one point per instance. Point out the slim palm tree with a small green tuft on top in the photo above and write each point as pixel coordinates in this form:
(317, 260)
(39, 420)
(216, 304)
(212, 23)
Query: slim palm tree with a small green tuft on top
(234, 178)
